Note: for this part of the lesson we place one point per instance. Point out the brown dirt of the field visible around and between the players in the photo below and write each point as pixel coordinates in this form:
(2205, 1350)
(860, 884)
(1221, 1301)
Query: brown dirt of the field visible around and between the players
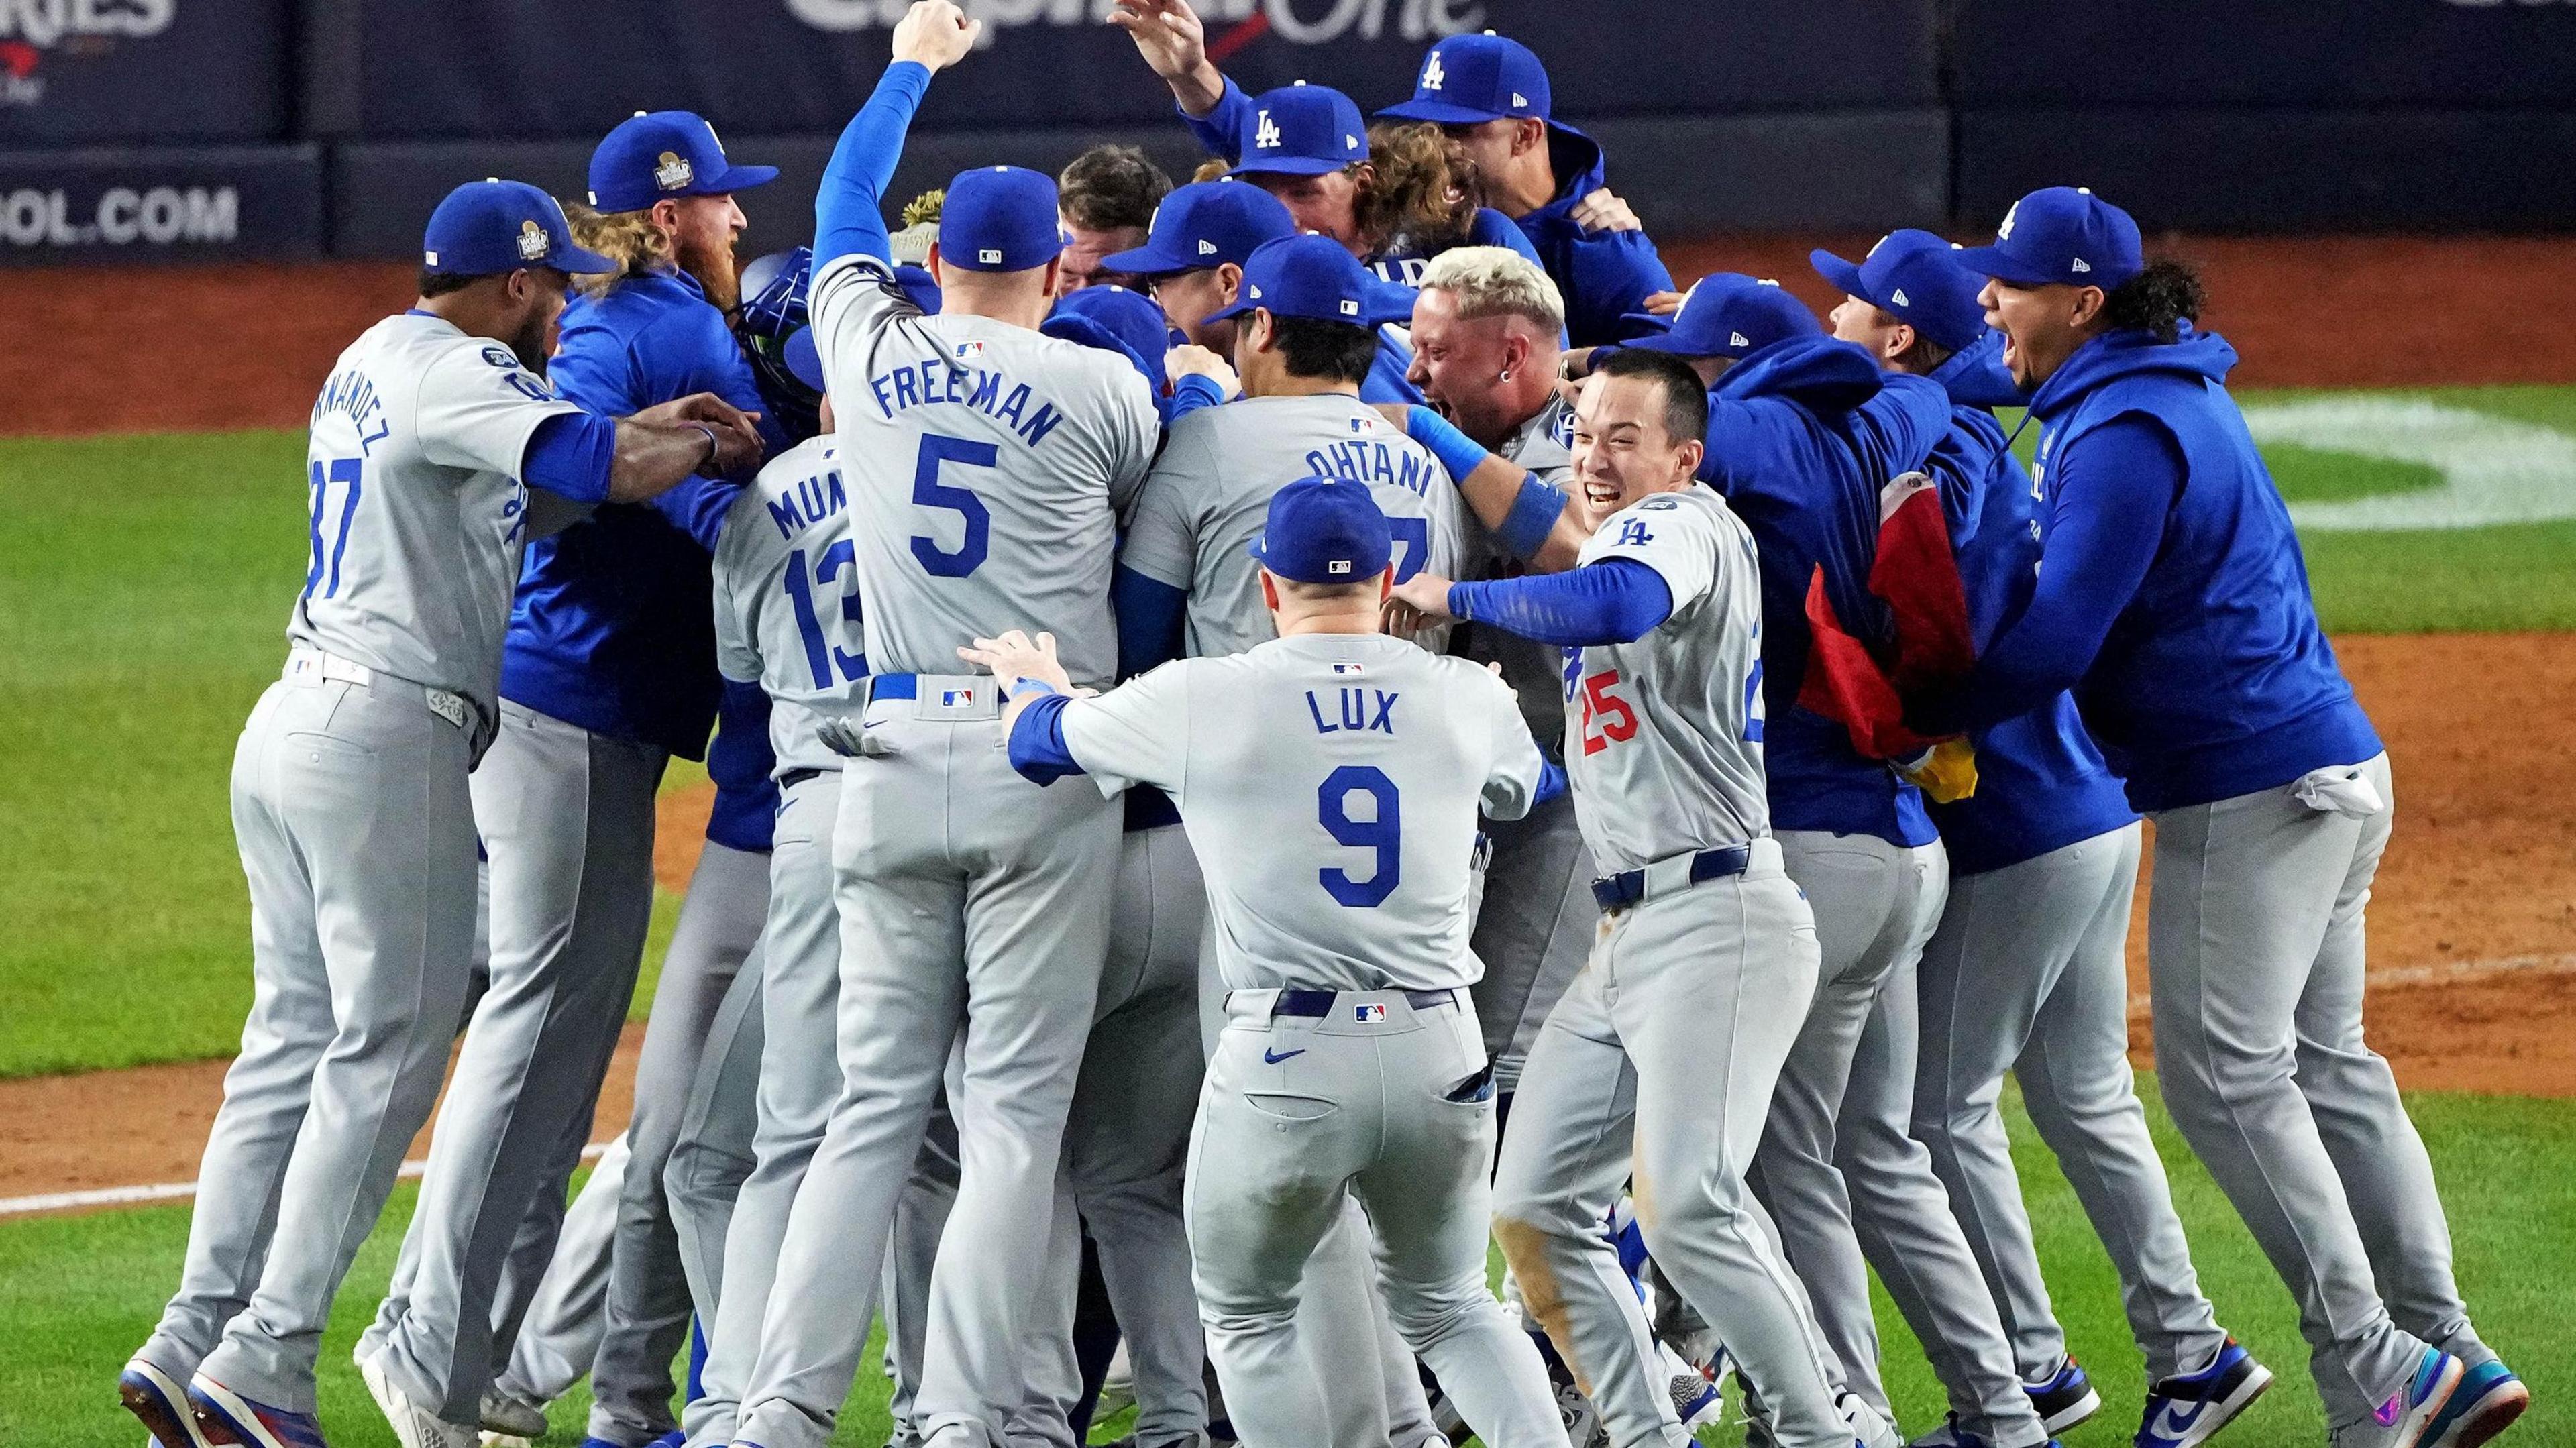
(2474, 919)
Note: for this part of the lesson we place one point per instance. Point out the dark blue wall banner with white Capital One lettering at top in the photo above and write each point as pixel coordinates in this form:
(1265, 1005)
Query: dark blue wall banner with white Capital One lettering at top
(573, 68)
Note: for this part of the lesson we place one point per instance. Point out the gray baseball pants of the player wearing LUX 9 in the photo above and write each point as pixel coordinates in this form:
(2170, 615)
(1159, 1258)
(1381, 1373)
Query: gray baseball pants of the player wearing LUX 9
(1390, 1104)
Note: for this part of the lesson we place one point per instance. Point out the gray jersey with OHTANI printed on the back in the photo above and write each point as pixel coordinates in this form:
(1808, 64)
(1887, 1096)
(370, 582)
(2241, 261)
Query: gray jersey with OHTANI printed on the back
(1209, 496)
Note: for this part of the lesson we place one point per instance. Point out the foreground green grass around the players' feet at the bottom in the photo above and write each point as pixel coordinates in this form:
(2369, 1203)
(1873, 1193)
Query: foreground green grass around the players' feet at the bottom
(81, 1292)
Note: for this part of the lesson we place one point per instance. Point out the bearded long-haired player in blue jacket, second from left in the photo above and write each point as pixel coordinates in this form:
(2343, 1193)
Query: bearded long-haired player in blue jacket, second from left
(607, 674)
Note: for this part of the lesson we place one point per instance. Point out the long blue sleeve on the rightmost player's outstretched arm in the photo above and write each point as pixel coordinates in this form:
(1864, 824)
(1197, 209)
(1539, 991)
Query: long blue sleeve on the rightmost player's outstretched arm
(2111, 499)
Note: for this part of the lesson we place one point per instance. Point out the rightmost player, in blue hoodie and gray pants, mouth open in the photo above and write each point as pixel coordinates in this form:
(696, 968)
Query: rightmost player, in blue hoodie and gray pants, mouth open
(2175, 604)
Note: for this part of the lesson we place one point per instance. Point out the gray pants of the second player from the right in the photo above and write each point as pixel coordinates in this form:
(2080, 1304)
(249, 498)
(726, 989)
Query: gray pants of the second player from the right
(2029, 975)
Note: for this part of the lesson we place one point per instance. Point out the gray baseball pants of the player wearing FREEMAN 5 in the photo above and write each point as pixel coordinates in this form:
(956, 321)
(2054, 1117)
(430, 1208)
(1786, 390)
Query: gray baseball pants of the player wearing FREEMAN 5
(970, 900)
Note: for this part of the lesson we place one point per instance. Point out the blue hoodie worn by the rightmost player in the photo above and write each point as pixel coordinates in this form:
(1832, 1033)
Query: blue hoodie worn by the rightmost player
(2173, 594)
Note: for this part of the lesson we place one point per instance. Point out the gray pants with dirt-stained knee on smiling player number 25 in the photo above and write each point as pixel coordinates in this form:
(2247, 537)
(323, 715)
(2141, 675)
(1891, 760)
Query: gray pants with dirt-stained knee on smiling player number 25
(1660, 1065)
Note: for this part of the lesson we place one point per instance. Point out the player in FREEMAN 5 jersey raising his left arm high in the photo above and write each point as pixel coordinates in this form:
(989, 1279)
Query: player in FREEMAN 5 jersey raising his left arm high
(983, 468)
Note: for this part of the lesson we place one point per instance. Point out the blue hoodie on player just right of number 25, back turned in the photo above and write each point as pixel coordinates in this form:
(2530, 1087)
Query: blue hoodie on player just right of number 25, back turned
(1802, 439)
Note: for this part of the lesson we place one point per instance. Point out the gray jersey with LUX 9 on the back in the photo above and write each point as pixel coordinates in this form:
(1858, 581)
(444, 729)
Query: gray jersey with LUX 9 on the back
(1331, 790)
